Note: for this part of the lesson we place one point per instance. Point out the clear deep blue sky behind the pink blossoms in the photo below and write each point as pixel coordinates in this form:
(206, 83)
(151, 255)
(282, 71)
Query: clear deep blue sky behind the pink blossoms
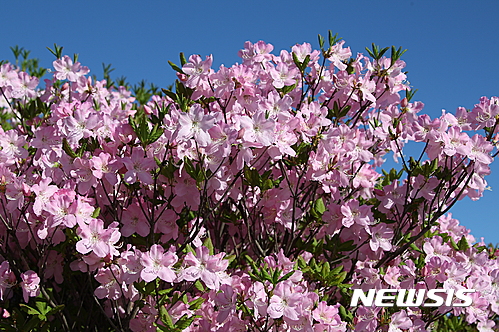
(453, 46)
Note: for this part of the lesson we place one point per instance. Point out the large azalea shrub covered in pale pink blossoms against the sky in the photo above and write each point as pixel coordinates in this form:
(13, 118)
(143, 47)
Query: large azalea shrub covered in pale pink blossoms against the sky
(250, 198)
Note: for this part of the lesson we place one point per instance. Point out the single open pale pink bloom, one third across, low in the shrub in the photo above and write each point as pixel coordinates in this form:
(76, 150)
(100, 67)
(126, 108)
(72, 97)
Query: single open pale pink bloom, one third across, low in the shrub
(157, 263)
